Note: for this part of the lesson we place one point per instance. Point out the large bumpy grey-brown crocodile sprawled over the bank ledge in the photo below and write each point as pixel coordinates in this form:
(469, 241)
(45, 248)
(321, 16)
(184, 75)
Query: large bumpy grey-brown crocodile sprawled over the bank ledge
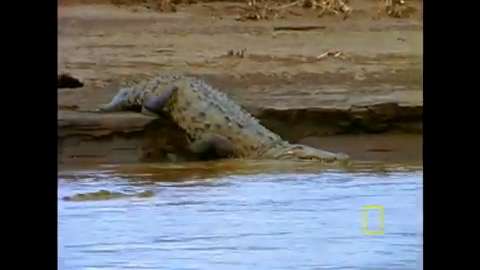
(212, 121)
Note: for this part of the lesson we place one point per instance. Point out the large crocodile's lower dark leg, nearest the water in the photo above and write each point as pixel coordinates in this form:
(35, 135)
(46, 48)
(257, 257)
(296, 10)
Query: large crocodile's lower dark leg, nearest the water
(212, 145)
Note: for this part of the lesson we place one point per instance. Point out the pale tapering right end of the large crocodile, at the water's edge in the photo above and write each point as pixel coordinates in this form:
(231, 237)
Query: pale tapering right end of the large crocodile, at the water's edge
(307, 153)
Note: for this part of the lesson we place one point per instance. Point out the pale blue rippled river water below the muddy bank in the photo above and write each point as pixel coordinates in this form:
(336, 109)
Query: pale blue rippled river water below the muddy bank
(225, 216)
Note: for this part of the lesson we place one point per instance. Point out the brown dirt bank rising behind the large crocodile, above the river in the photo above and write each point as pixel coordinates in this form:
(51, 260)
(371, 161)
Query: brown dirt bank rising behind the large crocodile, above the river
(282, 78)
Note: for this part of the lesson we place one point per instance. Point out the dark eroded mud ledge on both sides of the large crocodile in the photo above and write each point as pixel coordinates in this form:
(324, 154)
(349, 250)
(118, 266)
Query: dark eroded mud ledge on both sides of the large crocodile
(133, 137)
